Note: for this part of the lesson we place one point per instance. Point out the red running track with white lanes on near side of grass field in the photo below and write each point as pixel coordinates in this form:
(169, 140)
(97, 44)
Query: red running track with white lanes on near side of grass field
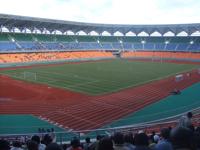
(78, 111)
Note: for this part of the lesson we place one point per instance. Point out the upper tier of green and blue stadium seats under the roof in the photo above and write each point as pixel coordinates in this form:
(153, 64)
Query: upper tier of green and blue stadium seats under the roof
(37, 42)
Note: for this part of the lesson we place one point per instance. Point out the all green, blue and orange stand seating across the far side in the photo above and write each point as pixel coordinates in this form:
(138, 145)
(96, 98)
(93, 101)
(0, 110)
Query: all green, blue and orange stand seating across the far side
(133, 46)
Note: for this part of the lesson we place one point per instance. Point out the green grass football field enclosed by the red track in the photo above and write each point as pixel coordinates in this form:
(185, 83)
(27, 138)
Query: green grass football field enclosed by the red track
(99, 77)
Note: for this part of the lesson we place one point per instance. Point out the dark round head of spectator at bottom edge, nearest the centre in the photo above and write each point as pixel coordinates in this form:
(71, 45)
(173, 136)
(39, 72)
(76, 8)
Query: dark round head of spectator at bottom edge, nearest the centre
(105, 144)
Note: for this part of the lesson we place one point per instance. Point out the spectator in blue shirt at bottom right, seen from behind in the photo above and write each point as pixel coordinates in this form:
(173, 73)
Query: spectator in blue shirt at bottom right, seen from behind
(164, 143)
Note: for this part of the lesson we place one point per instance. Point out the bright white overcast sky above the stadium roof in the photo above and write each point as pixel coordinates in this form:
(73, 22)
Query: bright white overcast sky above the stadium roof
(108, 11)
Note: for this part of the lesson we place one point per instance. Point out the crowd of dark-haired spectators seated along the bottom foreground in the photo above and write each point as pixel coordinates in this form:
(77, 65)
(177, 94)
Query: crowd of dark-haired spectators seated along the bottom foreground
(182, 137)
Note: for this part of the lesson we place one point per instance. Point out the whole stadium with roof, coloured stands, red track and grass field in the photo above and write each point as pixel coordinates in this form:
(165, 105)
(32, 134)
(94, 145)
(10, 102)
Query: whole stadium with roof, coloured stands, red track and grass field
(52, 76)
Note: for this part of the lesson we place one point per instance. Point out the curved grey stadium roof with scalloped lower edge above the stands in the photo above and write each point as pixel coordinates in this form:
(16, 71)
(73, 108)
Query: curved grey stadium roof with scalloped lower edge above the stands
(12, 21)
